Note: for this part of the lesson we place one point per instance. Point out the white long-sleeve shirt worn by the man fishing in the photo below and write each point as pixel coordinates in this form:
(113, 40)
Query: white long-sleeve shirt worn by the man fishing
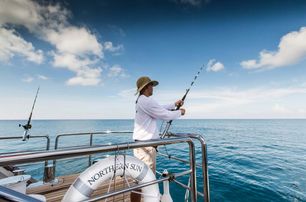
(148, 111)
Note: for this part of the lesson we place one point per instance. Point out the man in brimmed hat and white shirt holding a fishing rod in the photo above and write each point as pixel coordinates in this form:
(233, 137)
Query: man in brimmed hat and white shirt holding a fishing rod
(148, 111)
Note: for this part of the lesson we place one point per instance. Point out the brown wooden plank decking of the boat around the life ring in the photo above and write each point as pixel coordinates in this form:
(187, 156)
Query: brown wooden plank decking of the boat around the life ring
(55, 192)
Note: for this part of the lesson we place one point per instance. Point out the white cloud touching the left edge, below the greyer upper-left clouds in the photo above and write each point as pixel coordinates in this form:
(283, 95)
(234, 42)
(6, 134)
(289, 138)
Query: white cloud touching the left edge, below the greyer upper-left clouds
(12, 44)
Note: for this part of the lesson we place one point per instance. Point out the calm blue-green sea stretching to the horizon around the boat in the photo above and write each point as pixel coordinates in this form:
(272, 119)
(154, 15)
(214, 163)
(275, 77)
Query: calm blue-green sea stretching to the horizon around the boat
(249, 160)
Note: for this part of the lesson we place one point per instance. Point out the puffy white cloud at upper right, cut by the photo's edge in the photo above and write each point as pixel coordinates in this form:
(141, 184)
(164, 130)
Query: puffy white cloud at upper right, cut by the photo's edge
(291, 50)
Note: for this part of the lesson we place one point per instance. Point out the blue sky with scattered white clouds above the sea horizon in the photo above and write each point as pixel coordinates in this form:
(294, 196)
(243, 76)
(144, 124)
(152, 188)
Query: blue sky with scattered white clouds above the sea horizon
(87, 55)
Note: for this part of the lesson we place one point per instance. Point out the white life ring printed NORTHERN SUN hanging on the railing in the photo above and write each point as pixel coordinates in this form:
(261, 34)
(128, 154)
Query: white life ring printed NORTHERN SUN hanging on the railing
(103, 171)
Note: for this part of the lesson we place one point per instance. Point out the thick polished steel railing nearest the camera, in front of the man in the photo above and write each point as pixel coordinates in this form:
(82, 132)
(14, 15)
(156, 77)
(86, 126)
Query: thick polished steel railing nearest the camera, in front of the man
(19, 158)
